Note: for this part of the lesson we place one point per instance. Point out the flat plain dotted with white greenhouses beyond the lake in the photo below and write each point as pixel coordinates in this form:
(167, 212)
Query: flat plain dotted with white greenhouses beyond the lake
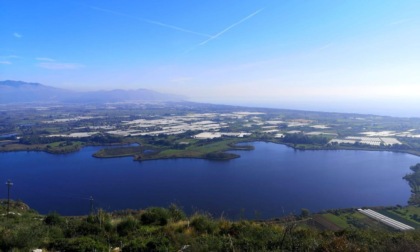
(193, 130)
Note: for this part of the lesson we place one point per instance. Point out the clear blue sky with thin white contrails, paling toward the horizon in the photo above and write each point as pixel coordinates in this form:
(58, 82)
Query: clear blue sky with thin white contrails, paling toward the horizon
(328, 55)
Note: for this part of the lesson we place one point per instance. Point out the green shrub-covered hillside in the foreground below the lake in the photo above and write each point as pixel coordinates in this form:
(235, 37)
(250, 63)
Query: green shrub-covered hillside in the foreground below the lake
(159, 229)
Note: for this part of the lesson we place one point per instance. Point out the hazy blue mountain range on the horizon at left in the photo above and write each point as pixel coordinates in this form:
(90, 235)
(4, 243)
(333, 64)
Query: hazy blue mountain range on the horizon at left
(25, 92)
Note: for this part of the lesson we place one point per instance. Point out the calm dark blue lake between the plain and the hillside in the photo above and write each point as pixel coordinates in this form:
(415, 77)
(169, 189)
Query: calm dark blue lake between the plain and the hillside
(266, 182)
